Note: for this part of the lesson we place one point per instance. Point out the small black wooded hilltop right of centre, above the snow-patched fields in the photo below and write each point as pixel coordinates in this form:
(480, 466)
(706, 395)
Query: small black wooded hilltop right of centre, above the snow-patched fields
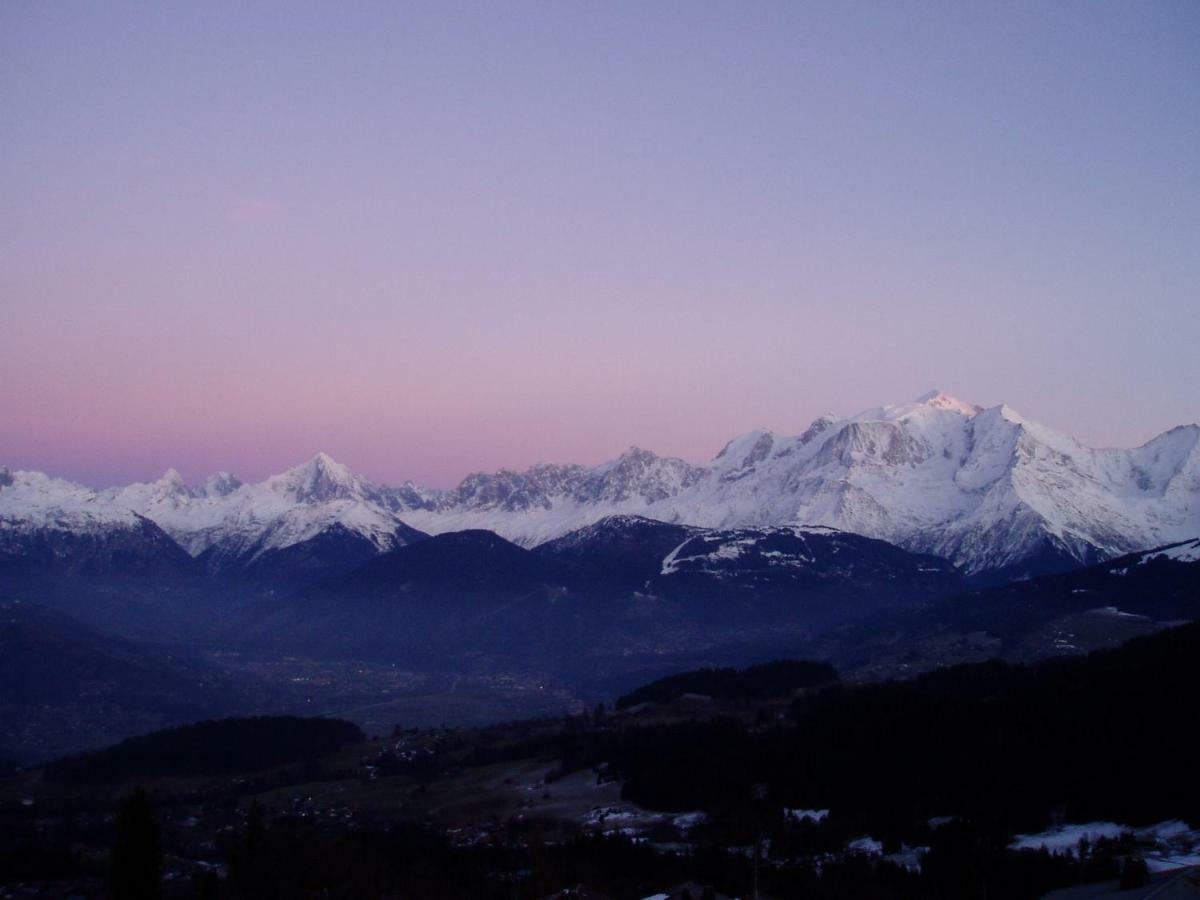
(763, 682)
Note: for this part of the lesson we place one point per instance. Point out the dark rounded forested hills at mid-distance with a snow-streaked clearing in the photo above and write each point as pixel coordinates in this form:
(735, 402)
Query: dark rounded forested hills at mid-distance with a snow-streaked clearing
(621, 587)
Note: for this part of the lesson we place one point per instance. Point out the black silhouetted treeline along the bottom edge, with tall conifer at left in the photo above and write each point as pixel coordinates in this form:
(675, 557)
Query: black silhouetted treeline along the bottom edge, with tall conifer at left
(292, 857)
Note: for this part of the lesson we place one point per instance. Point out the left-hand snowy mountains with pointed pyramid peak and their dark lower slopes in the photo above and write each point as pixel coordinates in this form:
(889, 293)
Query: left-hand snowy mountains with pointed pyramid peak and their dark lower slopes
(313, 521)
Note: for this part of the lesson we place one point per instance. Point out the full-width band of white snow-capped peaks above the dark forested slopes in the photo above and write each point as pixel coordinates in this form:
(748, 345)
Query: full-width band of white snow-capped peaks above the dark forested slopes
(986, 489)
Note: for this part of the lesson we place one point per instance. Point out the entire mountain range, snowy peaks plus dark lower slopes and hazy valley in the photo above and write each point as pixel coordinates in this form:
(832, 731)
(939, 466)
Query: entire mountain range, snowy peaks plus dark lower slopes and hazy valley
(889, 543)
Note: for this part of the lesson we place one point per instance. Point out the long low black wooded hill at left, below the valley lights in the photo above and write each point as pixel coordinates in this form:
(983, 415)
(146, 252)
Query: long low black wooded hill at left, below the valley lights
(213, 748)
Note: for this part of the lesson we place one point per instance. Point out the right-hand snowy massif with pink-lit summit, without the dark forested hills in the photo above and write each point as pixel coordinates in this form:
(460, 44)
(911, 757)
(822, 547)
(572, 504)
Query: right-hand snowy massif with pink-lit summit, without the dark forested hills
(985, 488)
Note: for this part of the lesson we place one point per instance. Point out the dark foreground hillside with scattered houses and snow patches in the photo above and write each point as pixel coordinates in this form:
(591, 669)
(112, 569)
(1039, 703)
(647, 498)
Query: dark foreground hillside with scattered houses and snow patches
(899, 791)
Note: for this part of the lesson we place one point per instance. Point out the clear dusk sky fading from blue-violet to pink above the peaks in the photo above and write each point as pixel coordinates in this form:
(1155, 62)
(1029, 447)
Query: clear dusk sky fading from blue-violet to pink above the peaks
(441, 238)
